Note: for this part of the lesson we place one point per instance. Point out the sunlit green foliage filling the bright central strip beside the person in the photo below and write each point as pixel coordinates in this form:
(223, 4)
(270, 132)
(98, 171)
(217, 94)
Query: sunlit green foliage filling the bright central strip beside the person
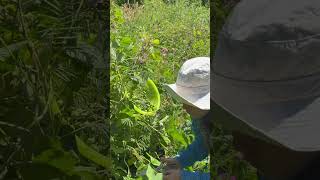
(151, 42)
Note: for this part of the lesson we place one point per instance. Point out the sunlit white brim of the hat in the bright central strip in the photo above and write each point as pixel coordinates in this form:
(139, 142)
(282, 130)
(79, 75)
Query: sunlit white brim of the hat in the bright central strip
(191, 96)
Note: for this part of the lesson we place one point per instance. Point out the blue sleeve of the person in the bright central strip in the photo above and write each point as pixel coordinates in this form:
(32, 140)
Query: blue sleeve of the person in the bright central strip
(196, 151)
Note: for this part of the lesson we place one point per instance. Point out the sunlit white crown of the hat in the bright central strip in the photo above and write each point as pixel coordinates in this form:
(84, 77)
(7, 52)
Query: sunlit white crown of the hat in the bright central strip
(195, 72)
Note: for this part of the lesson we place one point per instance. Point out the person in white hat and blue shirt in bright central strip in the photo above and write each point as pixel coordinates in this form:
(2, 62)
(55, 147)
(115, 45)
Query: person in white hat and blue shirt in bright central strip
(192, 88)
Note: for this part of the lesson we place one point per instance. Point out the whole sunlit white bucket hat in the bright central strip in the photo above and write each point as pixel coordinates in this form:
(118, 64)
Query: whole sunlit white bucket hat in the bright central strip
(192, 86)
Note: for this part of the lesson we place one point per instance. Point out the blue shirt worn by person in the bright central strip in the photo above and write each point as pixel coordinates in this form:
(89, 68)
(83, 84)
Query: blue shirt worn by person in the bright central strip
(196, 151)
